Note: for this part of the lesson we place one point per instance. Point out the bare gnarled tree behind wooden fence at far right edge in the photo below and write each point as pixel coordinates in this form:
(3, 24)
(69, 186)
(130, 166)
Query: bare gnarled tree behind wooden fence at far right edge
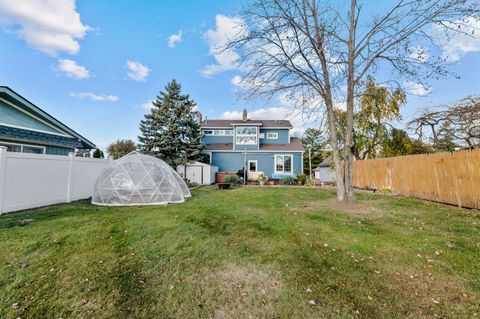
(457, 125)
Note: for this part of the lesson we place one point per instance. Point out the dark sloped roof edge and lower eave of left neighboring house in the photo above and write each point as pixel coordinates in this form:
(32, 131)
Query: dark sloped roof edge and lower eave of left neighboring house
(13, 97)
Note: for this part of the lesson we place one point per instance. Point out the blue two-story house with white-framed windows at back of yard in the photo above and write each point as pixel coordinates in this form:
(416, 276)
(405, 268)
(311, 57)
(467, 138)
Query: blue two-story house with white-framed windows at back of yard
(257, 145)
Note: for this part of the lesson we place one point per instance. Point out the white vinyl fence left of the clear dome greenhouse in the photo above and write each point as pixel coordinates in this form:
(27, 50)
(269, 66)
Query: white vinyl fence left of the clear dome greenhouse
(34, 180)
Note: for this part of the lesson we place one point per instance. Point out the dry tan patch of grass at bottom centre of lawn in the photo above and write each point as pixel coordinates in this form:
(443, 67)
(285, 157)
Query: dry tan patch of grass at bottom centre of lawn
(246, 291)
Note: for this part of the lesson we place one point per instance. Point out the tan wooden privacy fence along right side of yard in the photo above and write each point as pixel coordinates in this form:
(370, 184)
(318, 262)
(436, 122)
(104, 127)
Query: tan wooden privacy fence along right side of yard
(452, 178)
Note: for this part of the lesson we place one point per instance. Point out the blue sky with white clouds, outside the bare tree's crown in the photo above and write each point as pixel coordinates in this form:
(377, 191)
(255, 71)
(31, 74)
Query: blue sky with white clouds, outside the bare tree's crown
(95, 64)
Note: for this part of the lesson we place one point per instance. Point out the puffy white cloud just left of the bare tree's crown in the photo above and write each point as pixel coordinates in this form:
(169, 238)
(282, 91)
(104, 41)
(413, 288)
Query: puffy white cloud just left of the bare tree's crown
(226, 29)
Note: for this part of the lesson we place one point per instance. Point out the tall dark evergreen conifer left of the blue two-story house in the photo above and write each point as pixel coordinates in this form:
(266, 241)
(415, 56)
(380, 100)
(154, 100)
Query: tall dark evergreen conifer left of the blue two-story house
(170, 131)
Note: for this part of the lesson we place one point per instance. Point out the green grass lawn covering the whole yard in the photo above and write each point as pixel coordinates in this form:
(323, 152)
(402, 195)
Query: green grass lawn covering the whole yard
(243, 253)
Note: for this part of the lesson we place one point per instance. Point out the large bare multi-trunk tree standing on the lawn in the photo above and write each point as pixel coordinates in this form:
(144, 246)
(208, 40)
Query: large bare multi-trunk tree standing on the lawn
(321, 52)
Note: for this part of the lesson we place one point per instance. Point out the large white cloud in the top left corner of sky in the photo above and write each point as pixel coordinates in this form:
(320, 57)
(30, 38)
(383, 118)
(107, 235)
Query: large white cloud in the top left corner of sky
(50, 26)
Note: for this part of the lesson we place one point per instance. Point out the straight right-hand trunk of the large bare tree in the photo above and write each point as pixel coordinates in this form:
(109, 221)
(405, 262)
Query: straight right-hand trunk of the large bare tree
(348, 158)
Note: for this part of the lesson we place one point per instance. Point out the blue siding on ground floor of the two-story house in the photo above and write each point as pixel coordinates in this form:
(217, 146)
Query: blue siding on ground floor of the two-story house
(234, 161)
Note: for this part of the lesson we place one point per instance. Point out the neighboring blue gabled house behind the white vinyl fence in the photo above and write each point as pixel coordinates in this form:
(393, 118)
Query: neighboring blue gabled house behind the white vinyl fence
(25, 128)
